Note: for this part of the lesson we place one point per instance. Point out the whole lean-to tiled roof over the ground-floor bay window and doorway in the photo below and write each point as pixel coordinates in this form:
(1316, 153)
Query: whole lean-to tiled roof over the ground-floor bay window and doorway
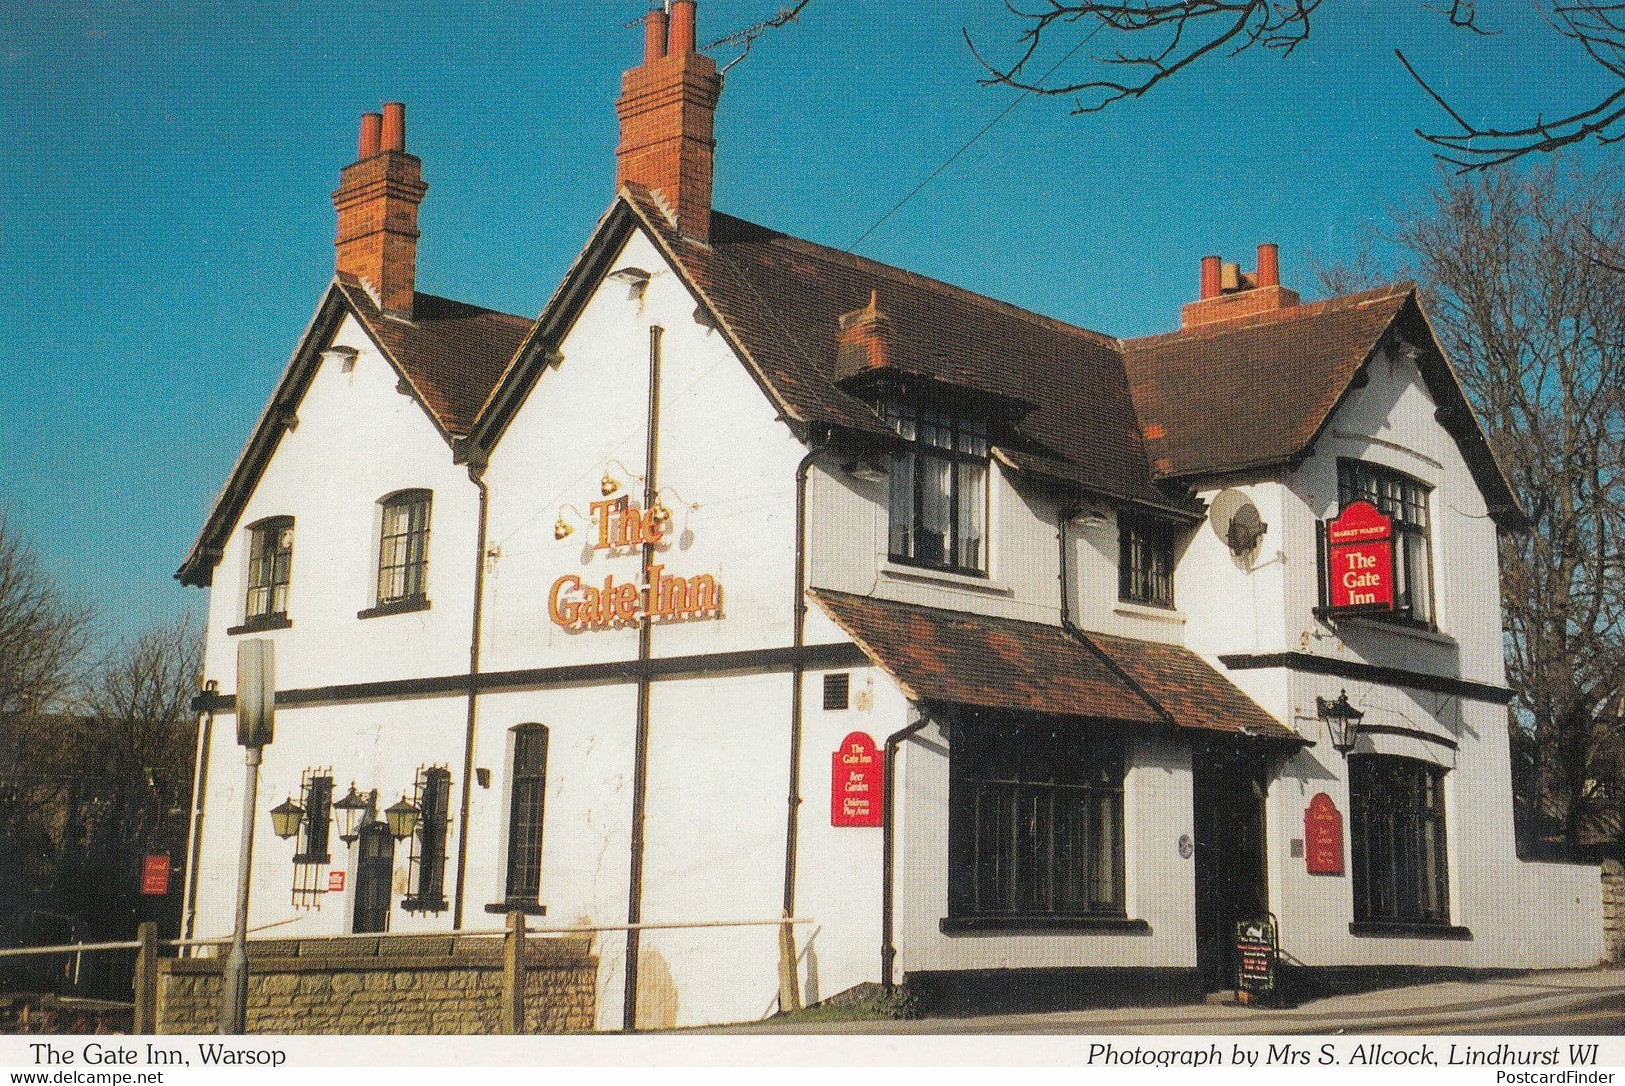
(1003, 664)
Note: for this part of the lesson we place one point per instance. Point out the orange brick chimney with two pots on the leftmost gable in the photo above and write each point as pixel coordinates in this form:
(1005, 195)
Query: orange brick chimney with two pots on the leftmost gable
(378, 211)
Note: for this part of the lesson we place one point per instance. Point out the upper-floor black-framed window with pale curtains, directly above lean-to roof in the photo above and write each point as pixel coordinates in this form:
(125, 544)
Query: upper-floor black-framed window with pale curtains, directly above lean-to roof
(938, 489)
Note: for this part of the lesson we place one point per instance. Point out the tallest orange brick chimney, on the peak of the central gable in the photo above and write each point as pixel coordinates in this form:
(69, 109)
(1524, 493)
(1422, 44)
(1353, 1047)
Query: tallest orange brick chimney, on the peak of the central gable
(667, 108)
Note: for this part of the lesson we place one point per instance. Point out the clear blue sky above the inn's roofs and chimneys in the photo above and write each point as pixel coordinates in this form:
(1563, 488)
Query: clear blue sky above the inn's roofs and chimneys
(167, 228)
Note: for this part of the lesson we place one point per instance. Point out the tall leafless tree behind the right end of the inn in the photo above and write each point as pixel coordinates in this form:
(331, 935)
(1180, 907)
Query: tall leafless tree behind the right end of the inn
(1522, 285)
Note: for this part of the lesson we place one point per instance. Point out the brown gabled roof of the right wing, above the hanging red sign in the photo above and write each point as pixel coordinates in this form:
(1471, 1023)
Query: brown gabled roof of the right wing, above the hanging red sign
(1257, 393)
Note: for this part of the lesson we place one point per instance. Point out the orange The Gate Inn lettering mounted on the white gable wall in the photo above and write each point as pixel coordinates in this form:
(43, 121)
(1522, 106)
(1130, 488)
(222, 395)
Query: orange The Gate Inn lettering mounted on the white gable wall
(620, 526)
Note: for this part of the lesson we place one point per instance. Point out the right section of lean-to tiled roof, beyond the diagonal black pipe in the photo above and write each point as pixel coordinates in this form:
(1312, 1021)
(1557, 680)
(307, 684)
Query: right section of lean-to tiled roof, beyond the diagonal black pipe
(1190, 690)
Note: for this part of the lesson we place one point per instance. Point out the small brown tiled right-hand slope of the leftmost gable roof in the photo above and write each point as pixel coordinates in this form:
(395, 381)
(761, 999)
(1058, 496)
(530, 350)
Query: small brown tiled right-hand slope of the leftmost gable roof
(451, 352)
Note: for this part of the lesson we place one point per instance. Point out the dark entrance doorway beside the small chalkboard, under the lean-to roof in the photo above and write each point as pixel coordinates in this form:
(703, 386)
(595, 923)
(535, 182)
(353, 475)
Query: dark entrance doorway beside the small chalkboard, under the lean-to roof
(1229, 804)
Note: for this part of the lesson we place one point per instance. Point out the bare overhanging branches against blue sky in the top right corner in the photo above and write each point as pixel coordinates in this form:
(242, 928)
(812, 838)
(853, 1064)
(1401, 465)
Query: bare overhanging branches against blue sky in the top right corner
(1150, 41)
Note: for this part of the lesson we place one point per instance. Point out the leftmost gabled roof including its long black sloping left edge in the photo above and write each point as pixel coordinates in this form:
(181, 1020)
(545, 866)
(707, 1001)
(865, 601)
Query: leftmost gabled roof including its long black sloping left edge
(449, 355)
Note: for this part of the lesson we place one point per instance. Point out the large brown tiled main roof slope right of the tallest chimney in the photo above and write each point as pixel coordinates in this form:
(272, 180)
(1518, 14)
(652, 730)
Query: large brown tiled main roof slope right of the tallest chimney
(782, 300)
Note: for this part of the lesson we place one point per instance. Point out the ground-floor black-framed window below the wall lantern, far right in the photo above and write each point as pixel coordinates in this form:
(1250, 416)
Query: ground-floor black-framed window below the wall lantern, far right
(1398, 827)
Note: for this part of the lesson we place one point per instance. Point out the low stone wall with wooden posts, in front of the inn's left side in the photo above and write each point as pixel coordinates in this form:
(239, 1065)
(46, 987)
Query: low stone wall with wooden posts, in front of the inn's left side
(389, 986)
